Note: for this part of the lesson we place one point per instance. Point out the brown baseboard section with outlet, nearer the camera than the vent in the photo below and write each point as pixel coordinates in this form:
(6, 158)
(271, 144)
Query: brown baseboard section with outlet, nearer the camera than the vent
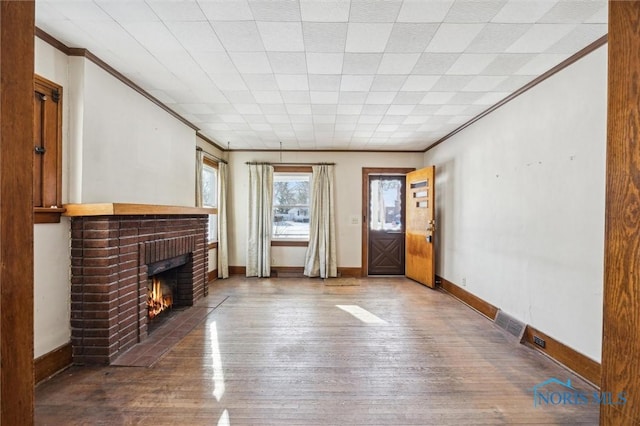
(570, 358)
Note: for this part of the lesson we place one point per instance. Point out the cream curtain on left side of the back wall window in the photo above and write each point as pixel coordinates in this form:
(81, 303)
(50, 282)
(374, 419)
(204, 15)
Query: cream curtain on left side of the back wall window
(260, 220)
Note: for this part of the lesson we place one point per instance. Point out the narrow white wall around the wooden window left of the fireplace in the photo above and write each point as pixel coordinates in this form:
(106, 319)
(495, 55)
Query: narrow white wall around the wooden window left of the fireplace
(52, 253)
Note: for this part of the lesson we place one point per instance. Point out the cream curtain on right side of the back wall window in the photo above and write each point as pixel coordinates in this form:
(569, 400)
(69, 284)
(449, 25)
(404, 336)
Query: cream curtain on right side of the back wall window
(321, 259)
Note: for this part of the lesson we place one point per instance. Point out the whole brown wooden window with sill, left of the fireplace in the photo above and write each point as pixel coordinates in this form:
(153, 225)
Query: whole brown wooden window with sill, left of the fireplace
(47, 152)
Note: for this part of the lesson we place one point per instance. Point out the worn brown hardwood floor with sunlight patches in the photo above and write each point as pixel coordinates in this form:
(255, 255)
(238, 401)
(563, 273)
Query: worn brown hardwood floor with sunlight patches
(280, 351)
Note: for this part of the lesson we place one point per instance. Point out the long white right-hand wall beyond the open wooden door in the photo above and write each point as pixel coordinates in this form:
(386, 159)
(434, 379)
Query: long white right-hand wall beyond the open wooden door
(520, 205)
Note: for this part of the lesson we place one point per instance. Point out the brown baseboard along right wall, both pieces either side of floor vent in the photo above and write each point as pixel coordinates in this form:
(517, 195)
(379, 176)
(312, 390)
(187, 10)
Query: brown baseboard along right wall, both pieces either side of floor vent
(570, 358)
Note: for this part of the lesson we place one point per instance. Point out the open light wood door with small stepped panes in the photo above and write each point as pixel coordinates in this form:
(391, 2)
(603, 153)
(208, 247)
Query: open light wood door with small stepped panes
(420, 226)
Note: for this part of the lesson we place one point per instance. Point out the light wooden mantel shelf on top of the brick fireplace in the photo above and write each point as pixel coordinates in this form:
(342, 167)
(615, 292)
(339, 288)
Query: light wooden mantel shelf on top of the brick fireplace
(127, 209)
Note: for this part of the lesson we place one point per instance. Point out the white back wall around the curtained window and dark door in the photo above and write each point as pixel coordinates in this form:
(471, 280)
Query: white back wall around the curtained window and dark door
(348, 180)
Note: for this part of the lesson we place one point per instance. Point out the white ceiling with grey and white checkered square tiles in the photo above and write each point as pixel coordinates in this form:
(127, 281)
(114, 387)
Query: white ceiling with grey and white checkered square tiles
(327, 74)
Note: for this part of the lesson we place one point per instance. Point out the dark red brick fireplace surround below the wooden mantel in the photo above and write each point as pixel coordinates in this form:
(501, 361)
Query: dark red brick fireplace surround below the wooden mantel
(109, 285)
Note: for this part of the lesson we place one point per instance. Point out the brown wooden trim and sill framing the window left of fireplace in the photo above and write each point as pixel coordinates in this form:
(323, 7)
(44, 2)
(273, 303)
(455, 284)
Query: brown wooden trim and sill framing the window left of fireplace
(43, 214)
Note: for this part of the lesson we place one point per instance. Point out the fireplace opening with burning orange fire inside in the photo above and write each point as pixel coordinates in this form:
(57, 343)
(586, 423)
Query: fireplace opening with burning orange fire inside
(162, 290)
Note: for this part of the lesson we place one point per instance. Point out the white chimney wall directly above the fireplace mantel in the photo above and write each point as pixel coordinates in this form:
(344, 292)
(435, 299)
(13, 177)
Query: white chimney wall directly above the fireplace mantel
(132, 150)
